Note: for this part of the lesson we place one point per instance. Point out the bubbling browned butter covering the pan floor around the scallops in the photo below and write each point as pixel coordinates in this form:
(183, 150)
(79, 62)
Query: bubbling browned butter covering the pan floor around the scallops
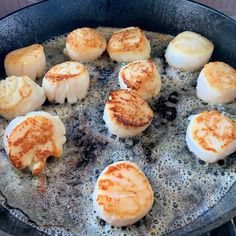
(60, 200)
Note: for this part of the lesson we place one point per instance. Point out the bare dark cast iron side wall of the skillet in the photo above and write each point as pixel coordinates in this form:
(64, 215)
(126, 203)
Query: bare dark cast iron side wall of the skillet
(54, 17)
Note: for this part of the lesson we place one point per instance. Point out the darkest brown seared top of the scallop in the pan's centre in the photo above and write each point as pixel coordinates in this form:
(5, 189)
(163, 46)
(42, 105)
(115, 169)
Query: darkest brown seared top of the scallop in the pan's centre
(129, 109)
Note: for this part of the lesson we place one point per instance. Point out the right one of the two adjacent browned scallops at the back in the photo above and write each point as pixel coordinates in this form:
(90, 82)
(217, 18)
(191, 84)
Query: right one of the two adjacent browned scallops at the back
(129, 44)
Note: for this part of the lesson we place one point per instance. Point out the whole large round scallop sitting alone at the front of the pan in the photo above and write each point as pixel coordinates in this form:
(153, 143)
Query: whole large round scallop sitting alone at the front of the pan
(122, 194)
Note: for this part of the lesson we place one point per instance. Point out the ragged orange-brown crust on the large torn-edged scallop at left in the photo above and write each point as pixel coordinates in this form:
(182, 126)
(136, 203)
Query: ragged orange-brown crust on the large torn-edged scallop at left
(38, 131)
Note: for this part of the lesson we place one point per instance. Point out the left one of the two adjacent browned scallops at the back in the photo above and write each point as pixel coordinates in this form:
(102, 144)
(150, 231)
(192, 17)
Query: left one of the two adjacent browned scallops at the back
(85, 44)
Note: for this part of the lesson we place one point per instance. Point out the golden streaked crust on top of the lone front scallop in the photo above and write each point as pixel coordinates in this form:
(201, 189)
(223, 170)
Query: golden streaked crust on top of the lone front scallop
(127, 187)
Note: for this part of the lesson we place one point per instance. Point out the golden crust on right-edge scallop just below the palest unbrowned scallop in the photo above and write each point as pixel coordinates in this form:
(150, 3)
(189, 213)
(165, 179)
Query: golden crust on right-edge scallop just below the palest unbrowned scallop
(220, 75)
